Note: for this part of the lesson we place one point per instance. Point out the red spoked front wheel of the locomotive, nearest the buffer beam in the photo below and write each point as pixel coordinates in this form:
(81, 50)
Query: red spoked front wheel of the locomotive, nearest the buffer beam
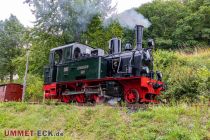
(131, 96)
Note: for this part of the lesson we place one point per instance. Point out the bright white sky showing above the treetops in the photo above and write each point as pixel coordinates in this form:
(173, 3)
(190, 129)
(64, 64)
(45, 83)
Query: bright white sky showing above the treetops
(23, 13)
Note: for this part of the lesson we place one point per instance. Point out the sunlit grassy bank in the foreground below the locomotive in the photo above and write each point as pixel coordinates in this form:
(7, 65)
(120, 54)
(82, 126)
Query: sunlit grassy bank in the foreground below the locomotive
(188, 122)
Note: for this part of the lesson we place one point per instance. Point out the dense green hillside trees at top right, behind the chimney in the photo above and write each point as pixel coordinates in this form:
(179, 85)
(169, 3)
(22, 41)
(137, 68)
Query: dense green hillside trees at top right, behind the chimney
(177, 23)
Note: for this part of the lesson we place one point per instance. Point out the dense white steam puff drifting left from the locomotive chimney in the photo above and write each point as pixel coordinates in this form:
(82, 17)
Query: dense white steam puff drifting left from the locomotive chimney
(128, 19)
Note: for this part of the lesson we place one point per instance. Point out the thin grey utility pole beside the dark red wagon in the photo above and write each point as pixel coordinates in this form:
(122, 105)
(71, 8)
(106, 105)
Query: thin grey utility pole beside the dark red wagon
(26, 72)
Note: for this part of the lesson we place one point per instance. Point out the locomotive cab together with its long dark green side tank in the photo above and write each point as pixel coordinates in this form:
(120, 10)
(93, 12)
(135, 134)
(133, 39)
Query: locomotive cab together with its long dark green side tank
(74, 62)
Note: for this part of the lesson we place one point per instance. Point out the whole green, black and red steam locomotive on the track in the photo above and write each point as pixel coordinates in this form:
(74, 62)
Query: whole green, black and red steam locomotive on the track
(80, 73)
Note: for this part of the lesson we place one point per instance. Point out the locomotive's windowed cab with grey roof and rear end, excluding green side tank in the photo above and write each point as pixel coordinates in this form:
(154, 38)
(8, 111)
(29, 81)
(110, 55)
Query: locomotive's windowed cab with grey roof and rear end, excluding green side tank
(62, 55)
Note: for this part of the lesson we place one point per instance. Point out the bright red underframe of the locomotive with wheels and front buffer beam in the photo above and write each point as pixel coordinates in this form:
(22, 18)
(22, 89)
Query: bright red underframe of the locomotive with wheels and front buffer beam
(135, 90)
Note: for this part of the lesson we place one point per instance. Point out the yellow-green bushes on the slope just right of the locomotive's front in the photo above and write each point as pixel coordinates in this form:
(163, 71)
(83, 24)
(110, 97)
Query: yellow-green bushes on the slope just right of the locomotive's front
(186, 79)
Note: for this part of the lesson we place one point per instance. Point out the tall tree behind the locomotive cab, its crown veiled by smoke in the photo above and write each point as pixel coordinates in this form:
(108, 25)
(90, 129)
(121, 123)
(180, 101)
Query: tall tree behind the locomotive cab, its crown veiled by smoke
(59, 22)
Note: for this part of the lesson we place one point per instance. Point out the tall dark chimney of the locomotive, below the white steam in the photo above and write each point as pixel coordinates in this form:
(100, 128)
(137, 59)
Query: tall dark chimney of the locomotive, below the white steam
(139, 36)
